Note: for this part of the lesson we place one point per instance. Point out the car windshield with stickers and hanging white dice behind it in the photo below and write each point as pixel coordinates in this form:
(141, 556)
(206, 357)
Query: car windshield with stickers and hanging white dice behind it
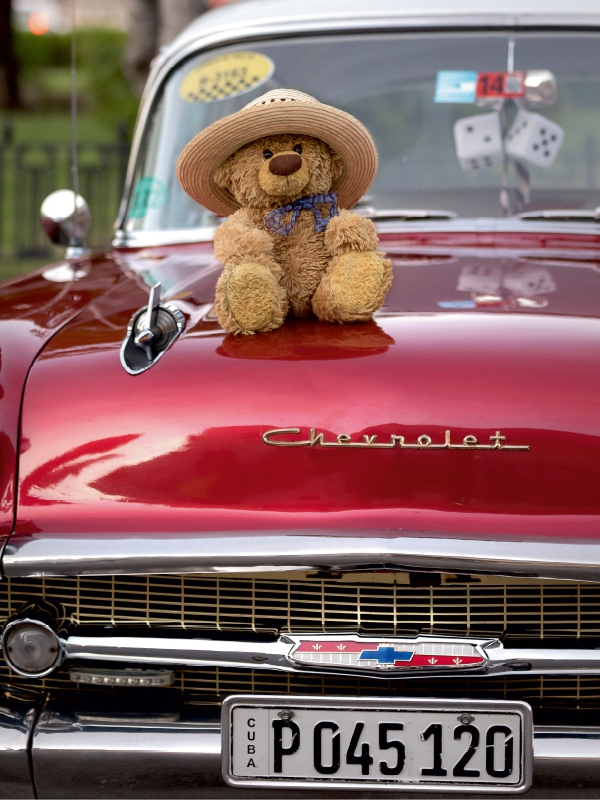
(418, 96)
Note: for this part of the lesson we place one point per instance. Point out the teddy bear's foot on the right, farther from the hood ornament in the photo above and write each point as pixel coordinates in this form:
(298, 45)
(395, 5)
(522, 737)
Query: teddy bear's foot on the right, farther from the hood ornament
(353, 287)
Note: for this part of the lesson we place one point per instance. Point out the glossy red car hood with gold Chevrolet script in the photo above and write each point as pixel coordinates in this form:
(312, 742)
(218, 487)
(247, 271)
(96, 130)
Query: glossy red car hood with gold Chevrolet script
(184, 447)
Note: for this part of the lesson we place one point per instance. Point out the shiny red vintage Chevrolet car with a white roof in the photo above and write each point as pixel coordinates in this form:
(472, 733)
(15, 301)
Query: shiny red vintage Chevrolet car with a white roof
(330, 557)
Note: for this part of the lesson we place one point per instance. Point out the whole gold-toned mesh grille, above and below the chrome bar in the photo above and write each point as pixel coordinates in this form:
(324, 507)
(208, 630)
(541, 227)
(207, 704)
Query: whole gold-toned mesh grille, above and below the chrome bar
(375, 603)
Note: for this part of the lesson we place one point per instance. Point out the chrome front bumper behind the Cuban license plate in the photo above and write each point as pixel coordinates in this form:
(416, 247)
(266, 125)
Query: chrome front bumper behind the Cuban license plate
(77, 753)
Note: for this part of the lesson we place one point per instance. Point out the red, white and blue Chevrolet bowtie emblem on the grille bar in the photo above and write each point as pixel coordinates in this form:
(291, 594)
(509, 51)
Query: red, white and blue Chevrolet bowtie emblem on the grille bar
(350, 652)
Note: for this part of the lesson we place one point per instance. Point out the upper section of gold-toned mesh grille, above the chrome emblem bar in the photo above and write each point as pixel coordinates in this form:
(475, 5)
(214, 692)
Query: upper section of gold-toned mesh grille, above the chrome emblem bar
(382, 604)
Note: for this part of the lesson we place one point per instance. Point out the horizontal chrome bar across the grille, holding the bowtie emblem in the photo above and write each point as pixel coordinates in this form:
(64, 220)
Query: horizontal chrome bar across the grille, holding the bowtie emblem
(279, 655)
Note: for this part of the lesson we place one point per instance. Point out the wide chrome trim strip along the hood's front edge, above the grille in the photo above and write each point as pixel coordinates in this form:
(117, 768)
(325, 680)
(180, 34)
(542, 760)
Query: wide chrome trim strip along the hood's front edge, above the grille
(287, 550)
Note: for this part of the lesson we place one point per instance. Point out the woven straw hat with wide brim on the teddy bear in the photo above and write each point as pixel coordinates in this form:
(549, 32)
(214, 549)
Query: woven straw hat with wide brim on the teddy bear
(278, 112)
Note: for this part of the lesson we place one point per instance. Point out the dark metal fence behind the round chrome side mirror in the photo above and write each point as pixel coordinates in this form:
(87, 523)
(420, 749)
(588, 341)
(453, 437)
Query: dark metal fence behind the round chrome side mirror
(29, 171)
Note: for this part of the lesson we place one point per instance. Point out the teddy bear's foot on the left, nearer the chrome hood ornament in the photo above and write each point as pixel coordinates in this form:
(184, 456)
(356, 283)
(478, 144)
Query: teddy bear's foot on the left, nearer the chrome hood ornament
(255, 300)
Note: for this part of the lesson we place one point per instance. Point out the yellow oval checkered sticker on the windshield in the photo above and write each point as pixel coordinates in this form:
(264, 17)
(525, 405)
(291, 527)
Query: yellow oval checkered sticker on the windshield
(225, 76)
